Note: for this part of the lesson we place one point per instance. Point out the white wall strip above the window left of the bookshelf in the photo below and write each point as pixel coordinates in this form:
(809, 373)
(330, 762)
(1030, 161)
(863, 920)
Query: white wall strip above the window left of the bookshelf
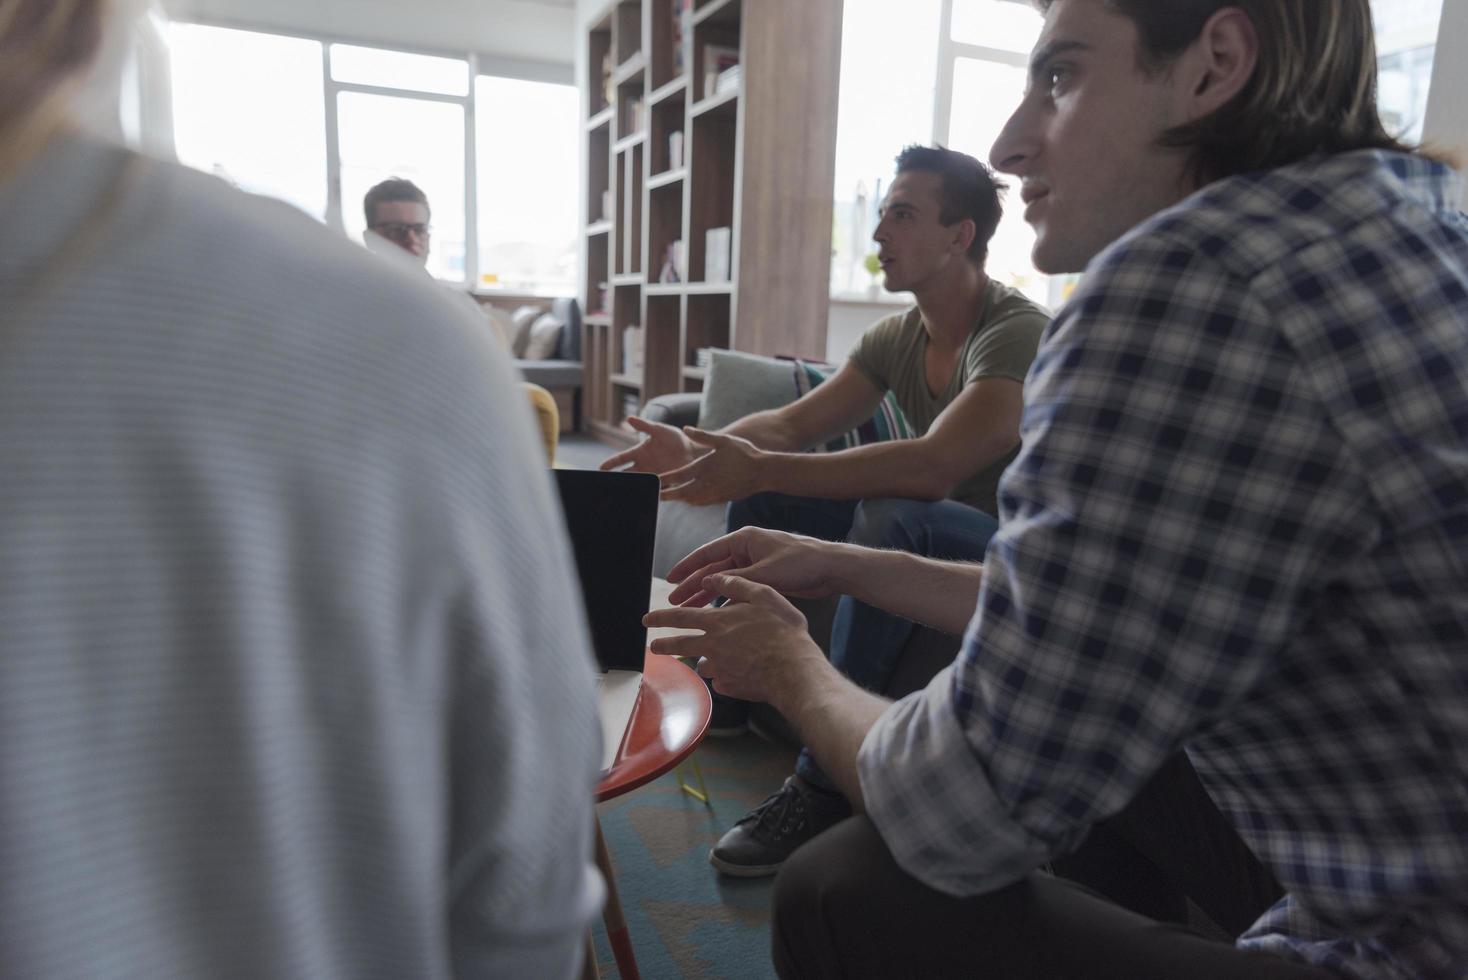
(537, 37)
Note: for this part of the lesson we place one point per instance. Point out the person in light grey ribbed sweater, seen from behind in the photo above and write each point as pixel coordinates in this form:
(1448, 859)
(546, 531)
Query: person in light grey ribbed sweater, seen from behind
(290, 683)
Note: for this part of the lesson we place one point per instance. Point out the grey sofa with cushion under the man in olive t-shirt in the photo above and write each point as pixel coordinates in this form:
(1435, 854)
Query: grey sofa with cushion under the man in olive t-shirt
(736, 387)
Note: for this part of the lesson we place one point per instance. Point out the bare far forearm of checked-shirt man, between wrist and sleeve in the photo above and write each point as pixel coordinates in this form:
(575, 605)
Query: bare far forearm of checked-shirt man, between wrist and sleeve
(937, 593)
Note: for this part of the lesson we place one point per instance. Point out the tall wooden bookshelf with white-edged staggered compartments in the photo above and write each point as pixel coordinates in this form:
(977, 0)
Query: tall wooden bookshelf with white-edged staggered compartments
(704, 117)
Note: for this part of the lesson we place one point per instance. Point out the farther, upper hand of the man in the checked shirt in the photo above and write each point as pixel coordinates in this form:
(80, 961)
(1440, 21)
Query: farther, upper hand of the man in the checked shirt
(791, 564)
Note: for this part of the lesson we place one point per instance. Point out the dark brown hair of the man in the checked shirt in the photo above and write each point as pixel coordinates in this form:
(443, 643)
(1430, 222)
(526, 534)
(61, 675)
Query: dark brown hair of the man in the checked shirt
(1313, 92)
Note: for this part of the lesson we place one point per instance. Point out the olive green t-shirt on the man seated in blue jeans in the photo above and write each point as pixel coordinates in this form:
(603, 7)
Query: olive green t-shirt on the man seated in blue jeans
(1003, 344)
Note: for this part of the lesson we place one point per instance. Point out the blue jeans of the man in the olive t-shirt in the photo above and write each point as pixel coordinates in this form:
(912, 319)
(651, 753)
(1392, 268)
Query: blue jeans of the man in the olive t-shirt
(867, 642)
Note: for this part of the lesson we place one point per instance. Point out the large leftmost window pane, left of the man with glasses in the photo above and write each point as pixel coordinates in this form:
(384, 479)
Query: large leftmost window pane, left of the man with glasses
(250, 109)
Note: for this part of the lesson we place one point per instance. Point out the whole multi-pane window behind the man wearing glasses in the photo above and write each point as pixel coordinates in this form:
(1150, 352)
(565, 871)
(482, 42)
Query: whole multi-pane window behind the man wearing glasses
(296, 118)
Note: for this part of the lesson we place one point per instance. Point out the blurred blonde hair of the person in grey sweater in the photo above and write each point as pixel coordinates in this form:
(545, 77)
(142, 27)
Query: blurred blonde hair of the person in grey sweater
(45, 49)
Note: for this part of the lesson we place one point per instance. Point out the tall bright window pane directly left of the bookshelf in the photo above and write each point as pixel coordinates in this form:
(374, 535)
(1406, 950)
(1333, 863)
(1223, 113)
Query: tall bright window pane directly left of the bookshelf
(528, 158)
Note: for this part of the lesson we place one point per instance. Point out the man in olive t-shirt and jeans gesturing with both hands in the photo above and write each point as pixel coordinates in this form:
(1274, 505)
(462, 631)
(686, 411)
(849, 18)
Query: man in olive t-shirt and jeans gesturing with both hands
(956, 365)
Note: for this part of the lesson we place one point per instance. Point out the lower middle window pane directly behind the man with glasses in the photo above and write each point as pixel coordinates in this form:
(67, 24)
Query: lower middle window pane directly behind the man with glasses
(424, 142)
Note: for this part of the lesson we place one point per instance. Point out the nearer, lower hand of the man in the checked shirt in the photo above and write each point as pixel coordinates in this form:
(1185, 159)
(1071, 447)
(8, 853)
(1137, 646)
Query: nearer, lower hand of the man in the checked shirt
(757, 648)
